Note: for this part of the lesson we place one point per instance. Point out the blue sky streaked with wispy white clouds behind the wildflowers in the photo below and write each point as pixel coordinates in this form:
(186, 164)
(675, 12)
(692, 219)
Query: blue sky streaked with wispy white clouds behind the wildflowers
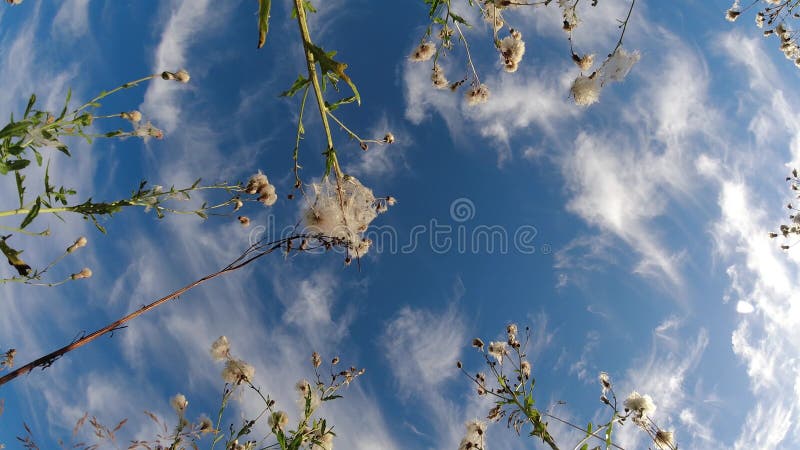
(651, 211)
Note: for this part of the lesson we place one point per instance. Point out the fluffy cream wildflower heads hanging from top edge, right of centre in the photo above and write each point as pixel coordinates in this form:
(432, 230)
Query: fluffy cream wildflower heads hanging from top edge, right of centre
(445, 26)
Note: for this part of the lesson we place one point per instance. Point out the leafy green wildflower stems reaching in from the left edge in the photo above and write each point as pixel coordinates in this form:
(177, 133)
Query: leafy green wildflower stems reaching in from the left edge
(30, 139)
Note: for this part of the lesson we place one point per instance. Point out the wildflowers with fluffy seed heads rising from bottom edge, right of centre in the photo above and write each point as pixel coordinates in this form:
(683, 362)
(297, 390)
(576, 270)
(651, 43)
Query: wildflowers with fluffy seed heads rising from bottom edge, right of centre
(510, 383)
